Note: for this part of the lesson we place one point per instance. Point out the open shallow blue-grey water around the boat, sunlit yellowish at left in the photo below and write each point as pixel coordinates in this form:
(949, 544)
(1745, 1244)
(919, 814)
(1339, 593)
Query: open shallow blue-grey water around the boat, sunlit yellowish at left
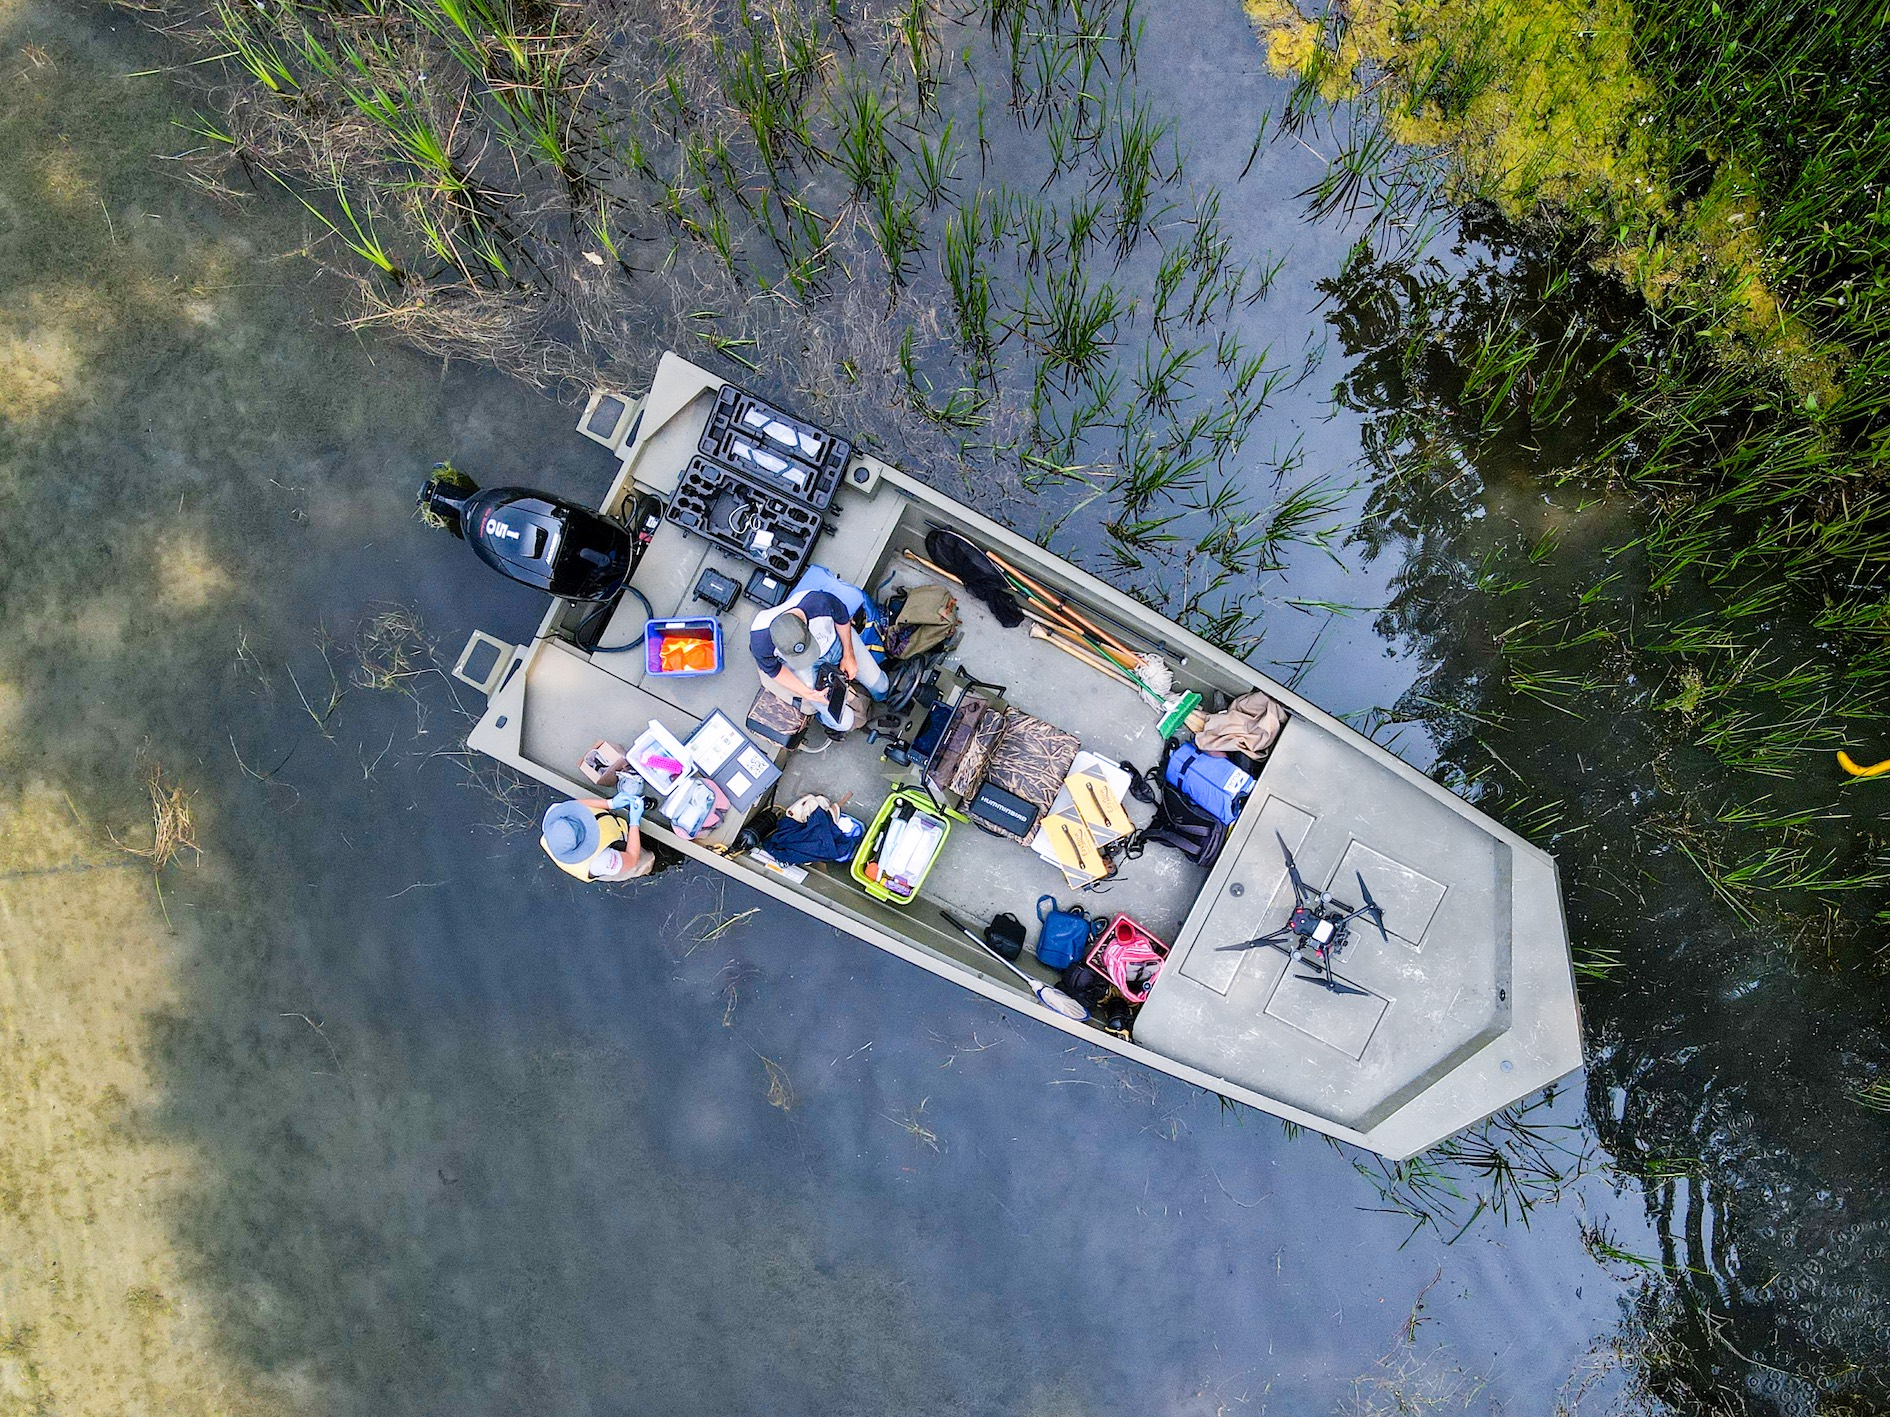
(369, 1110)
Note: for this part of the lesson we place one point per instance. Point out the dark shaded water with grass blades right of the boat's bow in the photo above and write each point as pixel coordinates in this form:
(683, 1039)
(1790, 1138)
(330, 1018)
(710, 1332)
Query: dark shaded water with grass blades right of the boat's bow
(1638, 687)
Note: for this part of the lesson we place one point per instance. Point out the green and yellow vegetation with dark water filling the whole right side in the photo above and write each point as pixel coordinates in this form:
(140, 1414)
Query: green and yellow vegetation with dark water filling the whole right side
(1626, 434)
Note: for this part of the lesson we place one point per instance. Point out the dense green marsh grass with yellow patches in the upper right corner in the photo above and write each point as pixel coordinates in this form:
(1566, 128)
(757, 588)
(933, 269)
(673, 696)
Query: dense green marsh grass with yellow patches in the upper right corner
(1747, 409)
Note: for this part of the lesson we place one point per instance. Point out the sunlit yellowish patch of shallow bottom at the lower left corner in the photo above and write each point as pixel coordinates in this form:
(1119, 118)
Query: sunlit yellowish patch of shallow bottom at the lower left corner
(97, 1312)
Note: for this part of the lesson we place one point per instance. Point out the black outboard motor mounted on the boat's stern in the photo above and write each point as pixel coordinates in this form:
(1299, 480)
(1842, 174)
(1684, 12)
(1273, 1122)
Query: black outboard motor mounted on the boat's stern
(538, 539)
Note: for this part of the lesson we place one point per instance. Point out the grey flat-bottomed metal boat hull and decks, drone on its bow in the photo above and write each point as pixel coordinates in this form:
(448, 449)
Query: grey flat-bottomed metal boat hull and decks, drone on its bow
(1456, 1000)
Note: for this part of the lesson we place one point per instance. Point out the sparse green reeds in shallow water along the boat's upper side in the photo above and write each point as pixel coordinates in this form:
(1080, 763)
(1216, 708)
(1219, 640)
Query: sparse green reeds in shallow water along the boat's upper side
(804, 196)
